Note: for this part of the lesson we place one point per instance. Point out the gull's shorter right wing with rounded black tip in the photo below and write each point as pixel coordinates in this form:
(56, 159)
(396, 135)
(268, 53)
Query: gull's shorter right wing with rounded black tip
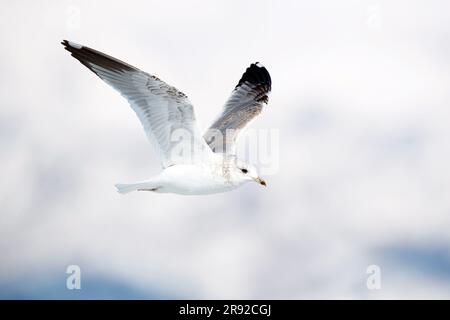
(245, 103)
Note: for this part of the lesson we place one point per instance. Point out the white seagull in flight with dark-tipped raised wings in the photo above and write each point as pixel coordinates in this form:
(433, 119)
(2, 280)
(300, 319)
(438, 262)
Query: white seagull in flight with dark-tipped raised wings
(192, 163)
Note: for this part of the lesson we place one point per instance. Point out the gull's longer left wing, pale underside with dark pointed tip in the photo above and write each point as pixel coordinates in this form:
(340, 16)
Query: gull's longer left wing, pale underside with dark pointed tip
(165, 113)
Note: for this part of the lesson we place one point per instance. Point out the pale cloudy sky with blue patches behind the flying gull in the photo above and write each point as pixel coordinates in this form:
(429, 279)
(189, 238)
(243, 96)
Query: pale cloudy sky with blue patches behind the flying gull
(361, 102)
